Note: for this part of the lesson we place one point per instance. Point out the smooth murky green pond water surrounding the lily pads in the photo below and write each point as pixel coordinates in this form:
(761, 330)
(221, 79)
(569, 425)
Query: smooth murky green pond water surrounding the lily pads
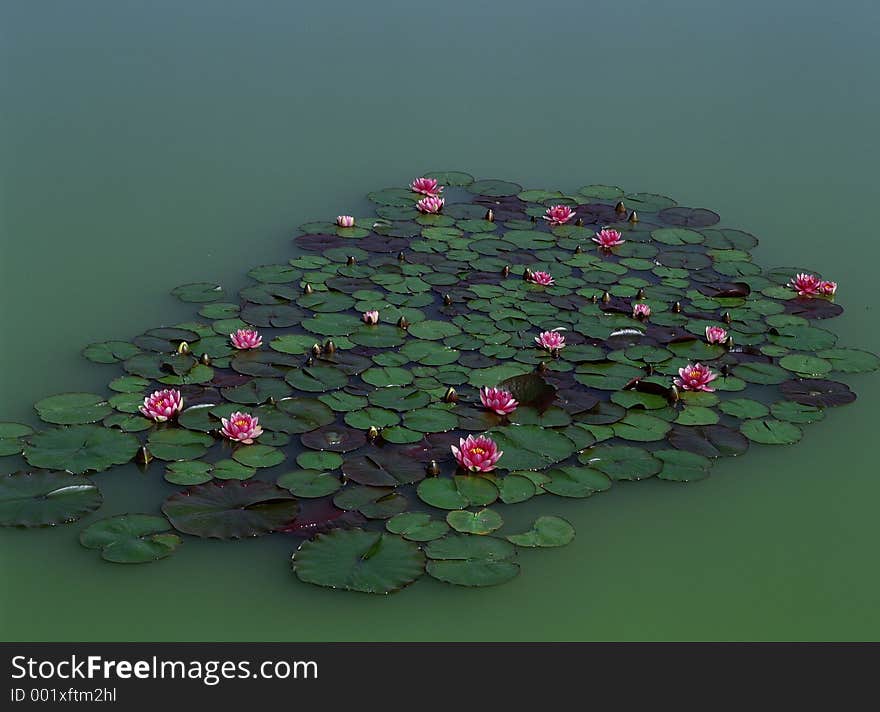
(146, 147)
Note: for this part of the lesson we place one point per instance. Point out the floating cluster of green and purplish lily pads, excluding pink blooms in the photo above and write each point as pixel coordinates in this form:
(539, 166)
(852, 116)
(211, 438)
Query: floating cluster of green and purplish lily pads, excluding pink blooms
(354, 460)
